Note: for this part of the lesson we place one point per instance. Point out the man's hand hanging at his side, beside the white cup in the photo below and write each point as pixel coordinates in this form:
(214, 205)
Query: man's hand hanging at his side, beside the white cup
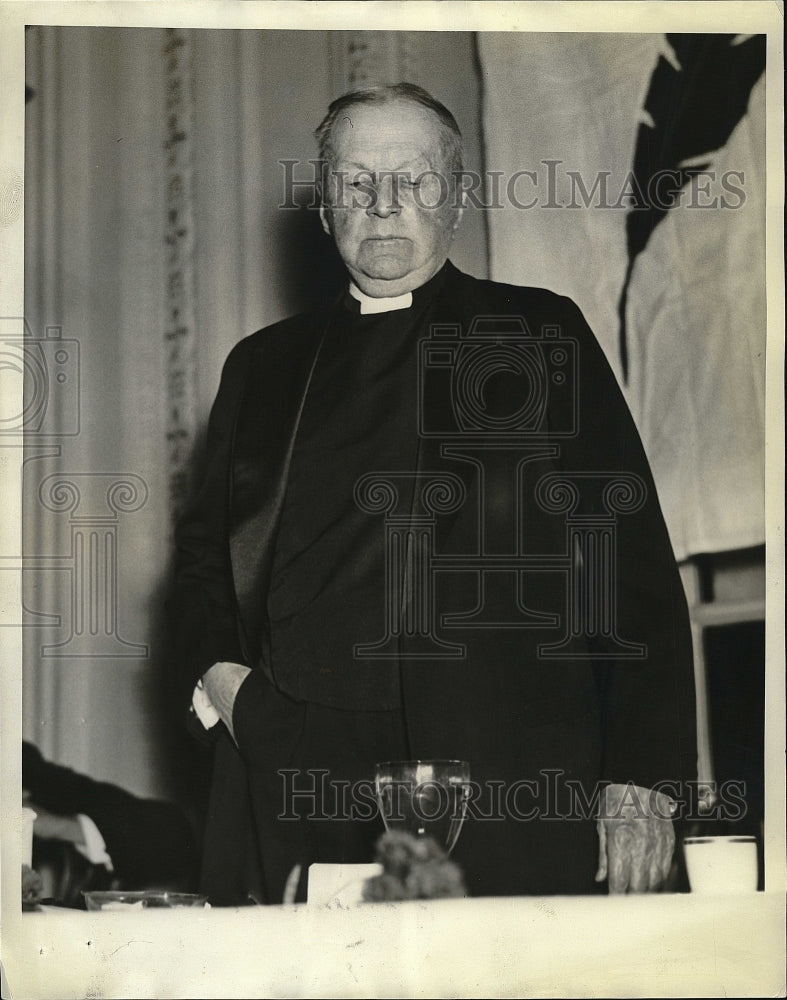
(636, 839)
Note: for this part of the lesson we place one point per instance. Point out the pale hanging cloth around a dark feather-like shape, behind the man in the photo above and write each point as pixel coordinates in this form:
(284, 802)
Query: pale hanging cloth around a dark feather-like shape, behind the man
(567, 108)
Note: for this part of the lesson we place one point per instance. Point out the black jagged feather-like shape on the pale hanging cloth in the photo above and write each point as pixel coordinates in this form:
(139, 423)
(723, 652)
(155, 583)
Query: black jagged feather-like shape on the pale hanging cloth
(691, 111)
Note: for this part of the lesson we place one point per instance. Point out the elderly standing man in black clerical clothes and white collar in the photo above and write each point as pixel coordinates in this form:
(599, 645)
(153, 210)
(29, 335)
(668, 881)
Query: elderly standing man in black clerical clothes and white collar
(428, 529)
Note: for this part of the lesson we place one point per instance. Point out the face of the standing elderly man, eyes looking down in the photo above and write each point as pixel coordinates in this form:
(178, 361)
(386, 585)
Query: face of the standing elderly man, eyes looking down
(391, 216)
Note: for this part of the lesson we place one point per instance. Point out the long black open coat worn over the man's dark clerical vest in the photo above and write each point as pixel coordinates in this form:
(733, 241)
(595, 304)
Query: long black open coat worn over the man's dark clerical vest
(549, 694)
